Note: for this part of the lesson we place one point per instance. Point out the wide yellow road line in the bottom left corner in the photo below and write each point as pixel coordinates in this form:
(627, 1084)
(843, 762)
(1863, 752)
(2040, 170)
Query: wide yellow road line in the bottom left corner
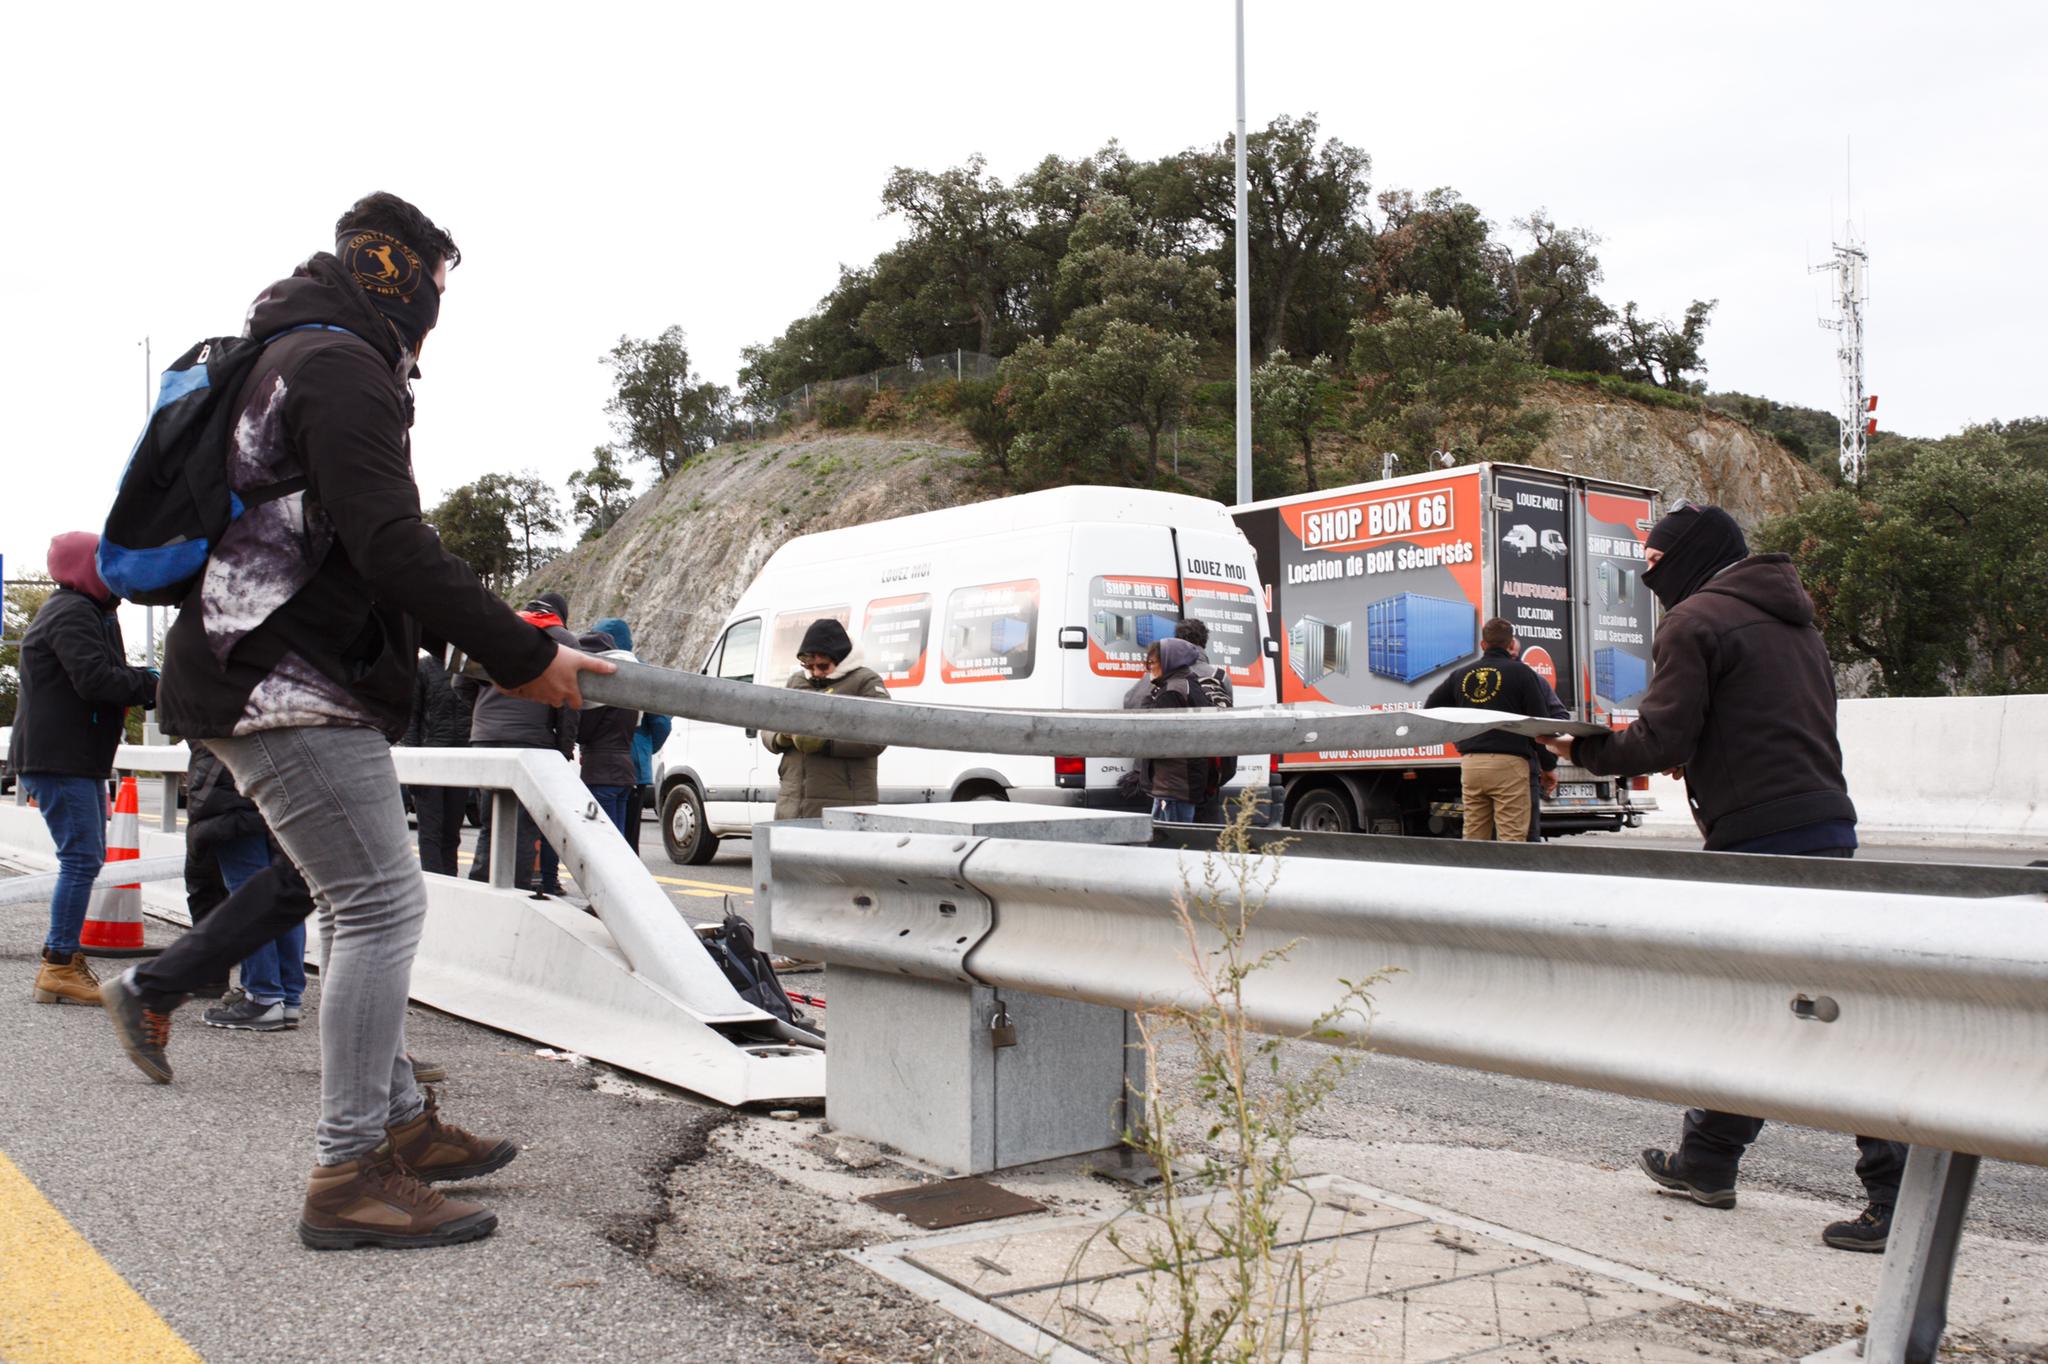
(60, 1302)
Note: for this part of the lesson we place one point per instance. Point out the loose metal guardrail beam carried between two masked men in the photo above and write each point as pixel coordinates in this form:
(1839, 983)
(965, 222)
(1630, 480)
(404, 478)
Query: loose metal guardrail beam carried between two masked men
(1099, 734)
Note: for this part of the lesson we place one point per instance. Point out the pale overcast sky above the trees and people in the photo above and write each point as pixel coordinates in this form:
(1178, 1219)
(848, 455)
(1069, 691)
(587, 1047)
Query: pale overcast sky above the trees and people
(613, 169)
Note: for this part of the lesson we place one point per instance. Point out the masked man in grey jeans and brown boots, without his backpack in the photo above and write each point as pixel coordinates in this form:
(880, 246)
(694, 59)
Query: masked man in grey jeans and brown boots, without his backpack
(294, 658)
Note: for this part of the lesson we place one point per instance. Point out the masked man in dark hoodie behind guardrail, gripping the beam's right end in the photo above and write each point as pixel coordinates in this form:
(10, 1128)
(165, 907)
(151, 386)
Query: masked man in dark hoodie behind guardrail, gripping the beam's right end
(1744, 704)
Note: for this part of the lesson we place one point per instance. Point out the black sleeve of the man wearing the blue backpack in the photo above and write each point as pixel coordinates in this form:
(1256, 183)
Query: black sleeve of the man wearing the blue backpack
(349, 429)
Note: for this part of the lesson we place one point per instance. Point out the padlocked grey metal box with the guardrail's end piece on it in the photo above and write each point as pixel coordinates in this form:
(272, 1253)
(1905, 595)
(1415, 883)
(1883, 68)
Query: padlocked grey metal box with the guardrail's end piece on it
(925, 1058)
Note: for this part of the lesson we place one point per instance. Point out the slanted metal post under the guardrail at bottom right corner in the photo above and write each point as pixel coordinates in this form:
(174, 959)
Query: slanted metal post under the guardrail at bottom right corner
(1912, 1308)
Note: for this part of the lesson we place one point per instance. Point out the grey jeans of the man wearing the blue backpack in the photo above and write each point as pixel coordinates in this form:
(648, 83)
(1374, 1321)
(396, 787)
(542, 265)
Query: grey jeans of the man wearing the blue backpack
(335, 806)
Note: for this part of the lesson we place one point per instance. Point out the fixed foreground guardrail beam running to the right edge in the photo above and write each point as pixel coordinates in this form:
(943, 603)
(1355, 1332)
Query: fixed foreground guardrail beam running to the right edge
(1936, 1011)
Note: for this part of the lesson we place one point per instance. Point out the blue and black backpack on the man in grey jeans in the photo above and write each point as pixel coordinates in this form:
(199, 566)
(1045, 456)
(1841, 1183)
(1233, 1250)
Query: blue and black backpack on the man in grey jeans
(175, 501)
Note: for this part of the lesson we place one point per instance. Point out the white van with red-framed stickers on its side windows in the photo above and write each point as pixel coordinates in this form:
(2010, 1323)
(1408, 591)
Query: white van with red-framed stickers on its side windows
(1043, 601)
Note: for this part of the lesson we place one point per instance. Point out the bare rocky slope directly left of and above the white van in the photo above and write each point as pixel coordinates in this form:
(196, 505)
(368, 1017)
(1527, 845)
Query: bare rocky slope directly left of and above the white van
(677, 562)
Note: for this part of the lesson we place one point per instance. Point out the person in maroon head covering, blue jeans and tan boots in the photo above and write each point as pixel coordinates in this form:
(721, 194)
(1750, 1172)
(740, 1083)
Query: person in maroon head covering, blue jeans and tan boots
(75, 693)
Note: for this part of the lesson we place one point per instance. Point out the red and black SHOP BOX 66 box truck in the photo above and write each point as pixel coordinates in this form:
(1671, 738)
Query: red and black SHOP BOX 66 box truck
(1416, 566)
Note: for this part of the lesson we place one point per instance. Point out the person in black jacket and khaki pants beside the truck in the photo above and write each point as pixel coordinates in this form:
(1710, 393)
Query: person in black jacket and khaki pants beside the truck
(1496, 767)
